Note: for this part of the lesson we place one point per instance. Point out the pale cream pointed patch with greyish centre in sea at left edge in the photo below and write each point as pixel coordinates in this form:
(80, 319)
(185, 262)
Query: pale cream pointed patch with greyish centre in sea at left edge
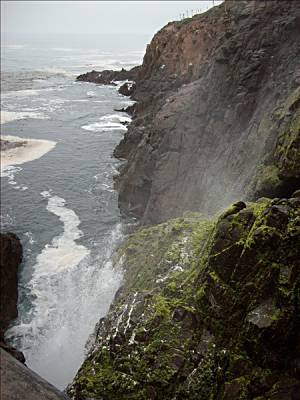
(21, 150)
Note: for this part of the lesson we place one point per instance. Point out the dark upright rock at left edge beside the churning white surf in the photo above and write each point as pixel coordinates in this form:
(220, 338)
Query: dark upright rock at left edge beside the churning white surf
(10, 259)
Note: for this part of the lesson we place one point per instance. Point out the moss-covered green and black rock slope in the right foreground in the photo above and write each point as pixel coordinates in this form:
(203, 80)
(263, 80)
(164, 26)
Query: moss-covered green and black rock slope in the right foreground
(209, 309)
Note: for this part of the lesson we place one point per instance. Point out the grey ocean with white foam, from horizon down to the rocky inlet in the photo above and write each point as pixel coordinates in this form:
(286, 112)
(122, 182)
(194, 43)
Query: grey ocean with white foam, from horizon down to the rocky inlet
(63, 205)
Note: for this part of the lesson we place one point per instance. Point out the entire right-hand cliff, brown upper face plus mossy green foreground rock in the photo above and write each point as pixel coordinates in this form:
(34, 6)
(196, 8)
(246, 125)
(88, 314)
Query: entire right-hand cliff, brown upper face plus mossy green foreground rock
(209, 306)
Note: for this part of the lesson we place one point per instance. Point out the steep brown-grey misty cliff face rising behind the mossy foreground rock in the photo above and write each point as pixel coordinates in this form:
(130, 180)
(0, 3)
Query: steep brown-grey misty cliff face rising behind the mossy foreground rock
(217, 117)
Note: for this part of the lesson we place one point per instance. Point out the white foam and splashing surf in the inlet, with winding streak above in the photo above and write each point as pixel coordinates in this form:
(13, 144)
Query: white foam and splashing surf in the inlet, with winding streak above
(71, 290)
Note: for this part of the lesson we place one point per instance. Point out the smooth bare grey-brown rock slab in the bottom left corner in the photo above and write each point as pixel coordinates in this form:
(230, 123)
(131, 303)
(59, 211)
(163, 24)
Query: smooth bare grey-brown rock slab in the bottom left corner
(20, 383)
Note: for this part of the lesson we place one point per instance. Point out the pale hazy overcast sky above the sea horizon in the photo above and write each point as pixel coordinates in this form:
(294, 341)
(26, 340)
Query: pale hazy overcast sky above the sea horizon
(93, 17)
